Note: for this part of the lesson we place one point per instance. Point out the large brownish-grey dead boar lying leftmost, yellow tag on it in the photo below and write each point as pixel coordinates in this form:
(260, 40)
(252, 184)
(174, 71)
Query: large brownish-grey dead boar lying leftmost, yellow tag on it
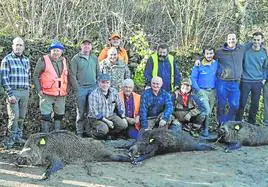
(62, 147)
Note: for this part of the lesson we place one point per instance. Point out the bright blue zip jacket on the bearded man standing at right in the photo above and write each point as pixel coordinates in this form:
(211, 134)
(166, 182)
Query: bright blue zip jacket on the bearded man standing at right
(204, 76)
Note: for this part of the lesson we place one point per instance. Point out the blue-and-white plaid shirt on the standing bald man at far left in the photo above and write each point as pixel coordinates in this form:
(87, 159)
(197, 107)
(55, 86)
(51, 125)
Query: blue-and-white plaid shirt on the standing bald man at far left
(15, 72)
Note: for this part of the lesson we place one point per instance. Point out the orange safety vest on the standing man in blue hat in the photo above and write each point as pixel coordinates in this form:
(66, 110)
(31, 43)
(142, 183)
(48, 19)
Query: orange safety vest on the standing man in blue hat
(50, 83)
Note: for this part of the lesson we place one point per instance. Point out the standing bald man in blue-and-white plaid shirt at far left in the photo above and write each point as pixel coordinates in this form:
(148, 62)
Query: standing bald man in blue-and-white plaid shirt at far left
(15, 69)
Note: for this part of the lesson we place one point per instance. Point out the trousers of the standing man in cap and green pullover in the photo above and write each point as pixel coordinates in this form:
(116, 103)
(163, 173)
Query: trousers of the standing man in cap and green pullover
(82, 108)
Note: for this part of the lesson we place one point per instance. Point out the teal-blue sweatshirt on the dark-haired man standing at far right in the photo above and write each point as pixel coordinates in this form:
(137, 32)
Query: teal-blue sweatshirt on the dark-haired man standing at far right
(254, 65)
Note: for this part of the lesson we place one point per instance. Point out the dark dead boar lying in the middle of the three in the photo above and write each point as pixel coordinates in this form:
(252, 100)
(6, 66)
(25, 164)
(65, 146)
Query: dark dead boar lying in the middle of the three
(162, 141)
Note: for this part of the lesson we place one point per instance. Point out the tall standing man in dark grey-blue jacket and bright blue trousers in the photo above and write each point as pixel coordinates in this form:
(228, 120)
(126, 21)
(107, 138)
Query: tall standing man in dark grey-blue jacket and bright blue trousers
(230, 58)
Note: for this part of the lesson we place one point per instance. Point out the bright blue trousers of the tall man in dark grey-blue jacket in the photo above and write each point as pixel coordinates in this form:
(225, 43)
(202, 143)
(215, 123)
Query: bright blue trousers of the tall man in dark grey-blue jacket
(228, 94)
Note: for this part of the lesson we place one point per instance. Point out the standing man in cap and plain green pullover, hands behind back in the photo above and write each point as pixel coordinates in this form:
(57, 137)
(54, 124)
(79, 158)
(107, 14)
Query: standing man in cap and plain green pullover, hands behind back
(84, 72)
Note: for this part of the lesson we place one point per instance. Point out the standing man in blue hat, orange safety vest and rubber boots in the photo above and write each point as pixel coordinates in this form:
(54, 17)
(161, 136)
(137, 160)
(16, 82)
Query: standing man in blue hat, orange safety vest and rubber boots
(51, 81)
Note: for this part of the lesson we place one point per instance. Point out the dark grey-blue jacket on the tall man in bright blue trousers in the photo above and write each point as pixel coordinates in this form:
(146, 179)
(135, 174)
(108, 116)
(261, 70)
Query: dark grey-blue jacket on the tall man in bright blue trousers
(230, 62)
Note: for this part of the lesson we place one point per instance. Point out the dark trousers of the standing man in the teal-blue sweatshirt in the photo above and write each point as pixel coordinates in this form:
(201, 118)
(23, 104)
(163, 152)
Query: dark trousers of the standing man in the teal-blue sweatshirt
(255, 89)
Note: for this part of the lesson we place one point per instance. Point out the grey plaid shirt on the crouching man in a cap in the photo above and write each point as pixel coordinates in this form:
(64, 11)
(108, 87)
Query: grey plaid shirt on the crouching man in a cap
(100, 106)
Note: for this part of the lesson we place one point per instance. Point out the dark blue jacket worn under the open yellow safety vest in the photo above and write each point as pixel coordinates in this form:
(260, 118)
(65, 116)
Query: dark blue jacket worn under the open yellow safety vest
(163, 72)
